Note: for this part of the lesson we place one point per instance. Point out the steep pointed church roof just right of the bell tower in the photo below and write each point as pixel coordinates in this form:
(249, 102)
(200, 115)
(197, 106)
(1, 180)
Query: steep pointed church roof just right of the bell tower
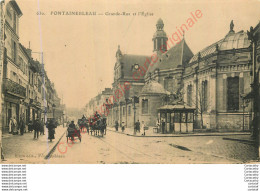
(175, 57)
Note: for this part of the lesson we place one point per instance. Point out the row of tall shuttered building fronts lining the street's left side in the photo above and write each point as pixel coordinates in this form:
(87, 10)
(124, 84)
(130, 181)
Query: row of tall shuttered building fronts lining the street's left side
(27, 90)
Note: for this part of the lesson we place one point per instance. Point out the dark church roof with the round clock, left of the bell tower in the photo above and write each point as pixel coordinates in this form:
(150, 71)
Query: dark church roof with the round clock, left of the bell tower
(129, 61)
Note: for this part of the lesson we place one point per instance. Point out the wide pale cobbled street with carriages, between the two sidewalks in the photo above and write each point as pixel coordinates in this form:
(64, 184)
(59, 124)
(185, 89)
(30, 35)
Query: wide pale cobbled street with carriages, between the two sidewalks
(117, 148)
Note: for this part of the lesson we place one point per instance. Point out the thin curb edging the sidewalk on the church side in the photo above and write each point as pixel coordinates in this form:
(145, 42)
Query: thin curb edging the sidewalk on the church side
(187, 135)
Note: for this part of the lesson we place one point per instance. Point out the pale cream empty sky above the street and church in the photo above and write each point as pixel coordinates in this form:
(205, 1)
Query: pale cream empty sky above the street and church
(79, 51)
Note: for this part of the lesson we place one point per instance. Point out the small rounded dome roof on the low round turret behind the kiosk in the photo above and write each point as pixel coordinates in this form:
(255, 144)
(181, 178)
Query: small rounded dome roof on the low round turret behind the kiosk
(153, 87)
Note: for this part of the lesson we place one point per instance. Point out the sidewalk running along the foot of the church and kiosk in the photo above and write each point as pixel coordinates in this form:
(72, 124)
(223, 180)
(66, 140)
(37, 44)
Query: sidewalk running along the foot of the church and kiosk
(150, 133)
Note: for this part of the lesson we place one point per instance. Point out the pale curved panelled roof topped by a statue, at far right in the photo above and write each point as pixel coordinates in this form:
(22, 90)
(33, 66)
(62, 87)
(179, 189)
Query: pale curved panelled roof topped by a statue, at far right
(231, 41)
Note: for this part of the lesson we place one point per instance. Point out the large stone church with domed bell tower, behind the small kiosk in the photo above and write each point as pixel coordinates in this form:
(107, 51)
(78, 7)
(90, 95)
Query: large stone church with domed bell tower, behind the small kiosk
(215, 82)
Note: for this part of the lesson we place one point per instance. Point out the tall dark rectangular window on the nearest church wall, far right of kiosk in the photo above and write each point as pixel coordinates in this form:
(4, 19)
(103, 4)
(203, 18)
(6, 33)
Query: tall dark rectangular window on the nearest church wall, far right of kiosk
(233, 93)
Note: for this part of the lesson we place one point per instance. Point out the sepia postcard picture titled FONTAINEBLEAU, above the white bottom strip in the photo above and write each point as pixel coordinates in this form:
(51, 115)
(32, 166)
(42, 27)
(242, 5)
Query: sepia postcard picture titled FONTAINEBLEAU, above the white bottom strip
(129, 82)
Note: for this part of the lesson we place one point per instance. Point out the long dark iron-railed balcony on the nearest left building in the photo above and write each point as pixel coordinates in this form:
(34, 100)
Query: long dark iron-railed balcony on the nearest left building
(14, 88)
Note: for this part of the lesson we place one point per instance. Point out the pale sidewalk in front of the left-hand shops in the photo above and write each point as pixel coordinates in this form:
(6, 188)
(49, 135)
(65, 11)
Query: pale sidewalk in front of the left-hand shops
(25, 149)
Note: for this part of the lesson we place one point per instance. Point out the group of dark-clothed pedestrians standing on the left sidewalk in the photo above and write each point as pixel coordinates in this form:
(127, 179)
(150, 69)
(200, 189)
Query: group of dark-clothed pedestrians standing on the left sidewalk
(37, 126)
